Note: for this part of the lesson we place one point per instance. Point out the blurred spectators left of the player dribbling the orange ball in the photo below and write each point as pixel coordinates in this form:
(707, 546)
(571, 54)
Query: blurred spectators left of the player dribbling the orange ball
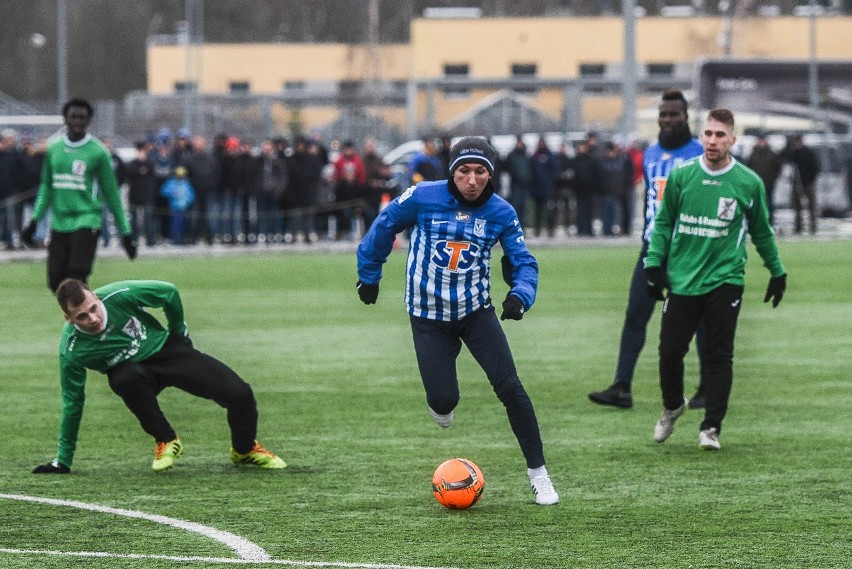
(184, 189)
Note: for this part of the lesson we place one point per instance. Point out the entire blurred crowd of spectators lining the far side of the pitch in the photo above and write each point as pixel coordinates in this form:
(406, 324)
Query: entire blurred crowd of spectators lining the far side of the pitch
(185, 189)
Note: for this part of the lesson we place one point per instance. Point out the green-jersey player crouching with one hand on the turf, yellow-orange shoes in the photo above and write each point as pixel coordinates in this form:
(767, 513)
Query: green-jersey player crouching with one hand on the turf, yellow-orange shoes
(111, 331)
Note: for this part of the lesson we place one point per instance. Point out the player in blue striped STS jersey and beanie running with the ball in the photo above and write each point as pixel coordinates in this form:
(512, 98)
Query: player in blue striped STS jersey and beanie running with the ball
(454, 225)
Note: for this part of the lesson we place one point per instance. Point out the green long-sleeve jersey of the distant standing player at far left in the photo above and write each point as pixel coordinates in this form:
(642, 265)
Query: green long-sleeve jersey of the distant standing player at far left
(77, 179)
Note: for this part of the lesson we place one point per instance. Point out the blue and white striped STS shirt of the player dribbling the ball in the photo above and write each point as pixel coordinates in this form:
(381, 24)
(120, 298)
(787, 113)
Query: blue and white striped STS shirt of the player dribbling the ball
(449, 254)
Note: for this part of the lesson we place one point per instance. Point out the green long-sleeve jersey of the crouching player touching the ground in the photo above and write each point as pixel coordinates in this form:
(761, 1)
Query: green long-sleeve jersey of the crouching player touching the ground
(130, 333)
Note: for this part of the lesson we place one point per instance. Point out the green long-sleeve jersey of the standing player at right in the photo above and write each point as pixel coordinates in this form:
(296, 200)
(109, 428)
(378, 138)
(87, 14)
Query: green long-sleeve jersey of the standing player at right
(699, 232)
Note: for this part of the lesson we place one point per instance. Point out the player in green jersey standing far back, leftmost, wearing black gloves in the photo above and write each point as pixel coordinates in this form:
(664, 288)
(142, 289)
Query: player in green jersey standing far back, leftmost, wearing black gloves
(77, 179)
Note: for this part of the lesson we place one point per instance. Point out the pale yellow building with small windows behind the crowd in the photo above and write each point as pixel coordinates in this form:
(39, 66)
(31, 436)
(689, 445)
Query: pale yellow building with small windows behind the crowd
(452, 65)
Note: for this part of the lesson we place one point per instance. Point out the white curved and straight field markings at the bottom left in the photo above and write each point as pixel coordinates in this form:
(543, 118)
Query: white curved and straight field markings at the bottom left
(249, 553)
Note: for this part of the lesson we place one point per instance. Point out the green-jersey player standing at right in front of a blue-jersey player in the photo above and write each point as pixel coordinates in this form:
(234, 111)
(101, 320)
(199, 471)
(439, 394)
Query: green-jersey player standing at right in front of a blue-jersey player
(697, 251)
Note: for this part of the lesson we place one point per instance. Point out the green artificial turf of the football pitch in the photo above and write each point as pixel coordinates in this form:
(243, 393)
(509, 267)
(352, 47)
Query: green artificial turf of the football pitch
(340, 400)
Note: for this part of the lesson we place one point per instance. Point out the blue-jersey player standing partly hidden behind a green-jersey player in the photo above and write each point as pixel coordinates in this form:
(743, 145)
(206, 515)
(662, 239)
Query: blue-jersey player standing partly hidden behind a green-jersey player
(675, 145)
